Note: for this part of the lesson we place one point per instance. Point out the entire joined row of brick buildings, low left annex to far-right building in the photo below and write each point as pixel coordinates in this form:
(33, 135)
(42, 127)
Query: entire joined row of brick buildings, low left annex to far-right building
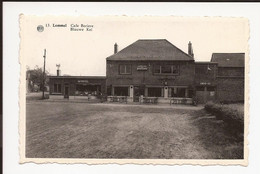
(158, 69)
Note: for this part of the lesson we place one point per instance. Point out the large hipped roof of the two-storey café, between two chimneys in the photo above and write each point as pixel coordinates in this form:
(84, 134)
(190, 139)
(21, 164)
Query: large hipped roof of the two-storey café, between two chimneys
(154, 49)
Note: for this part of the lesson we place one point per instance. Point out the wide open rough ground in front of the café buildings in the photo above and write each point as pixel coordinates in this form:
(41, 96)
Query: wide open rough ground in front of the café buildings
(83, 130)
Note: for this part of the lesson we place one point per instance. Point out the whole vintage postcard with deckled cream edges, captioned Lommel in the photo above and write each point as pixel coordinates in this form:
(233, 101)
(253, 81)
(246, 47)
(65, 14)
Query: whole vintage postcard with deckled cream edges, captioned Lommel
(141, 90)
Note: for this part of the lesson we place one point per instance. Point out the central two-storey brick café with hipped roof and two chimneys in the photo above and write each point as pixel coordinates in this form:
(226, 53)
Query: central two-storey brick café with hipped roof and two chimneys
(151, 68)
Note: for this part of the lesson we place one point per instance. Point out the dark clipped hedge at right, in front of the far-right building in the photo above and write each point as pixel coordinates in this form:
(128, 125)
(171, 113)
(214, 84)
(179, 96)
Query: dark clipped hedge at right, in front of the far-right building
(232, 116)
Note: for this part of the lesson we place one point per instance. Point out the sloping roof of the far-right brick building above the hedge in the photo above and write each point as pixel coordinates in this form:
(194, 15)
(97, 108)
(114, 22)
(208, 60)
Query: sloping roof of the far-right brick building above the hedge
(229, 59)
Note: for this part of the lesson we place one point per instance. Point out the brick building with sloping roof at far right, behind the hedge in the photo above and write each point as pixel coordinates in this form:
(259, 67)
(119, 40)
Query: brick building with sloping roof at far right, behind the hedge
(230, 77)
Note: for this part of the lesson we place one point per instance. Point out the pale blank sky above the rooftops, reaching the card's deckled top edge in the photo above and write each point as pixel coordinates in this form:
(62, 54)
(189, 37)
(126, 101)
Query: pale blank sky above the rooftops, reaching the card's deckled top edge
(83, 53)
